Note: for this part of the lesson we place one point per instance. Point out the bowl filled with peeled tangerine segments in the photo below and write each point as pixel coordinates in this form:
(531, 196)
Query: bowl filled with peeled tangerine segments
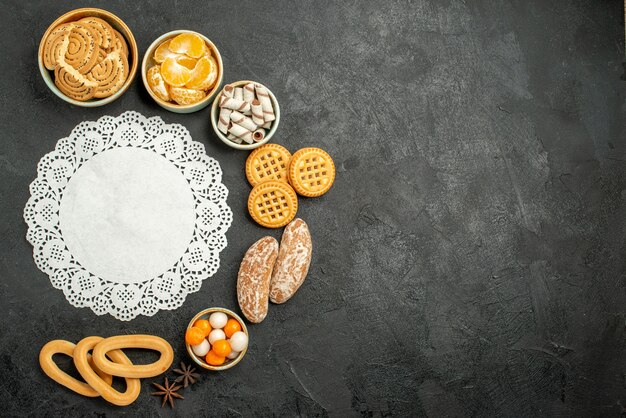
(182, 70)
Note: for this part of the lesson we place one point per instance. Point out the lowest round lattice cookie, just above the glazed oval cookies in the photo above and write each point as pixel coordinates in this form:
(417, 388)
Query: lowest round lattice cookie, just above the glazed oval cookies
(273, 204)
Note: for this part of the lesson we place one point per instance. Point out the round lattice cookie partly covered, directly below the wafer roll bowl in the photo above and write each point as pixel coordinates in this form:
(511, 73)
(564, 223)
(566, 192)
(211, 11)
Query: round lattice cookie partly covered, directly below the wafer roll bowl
(268, 162)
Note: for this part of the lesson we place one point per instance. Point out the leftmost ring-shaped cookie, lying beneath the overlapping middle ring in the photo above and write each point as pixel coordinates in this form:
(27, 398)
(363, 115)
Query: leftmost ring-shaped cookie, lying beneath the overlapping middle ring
(53, 371)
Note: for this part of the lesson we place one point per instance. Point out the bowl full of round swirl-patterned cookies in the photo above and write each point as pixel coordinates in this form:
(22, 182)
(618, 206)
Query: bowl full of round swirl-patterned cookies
(88, 57)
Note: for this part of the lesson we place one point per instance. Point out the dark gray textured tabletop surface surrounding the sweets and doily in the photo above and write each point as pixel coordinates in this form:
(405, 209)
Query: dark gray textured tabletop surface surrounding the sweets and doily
(469, 259)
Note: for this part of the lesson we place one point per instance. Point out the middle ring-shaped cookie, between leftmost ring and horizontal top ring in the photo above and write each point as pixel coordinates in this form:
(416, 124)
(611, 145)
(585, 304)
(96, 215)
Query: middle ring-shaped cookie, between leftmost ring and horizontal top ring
(133, 386)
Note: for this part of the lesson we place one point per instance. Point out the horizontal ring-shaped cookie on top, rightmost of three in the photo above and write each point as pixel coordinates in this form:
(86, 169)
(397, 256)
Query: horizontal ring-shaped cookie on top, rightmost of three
(149, 342)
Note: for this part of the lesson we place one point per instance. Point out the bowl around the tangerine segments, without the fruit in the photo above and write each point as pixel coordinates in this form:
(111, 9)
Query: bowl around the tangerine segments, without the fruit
(148, 62)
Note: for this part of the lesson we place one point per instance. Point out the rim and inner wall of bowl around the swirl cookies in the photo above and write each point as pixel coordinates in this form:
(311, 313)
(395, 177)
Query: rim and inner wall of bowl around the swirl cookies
(111, 19)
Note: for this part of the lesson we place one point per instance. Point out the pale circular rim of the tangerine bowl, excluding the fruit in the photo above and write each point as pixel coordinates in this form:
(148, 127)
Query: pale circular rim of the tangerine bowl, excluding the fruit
(202, 103)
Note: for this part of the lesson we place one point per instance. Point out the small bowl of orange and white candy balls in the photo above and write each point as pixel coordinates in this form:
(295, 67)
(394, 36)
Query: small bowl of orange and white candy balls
(216, 339)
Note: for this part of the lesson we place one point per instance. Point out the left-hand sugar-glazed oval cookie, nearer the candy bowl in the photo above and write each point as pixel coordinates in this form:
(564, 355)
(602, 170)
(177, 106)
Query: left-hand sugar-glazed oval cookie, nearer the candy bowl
(253, 280)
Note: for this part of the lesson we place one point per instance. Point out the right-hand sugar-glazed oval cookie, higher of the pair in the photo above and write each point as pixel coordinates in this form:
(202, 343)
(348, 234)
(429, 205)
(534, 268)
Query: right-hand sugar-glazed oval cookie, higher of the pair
(292, 264)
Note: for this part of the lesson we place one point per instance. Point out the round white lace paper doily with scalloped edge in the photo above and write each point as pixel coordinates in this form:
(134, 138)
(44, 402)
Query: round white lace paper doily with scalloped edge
(128, 215)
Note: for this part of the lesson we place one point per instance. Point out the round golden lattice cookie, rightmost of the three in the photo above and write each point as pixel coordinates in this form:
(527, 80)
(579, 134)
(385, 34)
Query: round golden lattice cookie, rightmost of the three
(311, 172)
